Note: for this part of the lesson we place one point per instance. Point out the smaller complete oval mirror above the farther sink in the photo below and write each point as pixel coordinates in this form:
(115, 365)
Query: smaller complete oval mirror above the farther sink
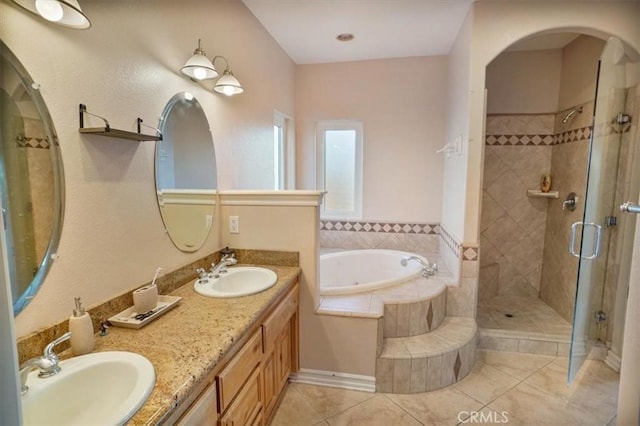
(186, 172)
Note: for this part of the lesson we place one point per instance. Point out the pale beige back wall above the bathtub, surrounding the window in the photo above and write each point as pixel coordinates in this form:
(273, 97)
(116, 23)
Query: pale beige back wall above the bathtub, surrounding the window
(400, 102)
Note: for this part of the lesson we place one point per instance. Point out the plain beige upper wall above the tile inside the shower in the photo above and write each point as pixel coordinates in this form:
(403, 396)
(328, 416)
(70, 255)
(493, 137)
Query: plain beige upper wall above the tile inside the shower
(526, 82)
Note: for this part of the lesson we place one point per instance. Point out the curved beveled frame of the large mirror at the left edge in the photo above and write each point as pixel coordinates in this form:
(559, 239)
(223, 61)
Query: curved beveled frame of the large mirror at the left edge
(50, 254)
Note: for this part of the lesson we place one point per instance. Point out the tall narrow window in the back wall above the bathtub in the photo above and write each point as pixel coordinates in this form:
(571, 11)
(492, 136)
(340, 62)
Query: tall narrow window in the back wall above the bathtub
(340, 168)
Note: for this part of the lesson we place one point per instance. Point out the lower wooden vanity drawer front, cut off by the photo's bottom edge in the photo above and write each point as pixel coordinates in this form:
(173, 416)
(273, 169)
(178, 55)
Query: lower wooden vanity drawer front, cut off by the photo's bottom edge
(247, 408)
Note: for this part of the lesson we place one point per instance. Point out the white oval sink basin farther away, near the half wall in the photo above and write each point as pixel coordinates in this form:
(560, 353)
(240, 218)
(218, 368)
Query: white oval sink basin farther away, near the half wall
(239, 281)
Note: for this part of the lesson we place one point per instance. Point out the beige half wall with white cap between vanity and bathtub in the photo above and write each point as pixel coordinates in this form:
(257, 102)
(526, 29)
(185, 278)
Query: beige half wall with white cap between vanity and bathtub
(290, 222)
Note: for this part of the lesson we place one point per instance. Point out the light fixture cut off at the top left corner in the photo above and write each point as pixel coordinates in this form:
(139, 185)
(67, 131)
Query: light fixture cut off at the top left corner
(66, 13)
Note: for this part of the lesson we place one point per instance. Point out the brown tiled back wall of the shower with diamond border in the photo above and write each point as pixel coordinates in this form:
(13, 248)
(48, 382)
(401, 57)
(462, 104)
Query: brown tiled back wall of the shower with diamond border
(517, 153)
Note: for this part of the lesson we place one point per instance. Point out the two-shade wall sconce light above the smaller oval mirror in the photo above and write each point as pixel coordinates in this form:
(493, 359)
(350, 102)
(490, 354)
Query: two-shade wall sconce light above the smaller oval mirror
(198, 67)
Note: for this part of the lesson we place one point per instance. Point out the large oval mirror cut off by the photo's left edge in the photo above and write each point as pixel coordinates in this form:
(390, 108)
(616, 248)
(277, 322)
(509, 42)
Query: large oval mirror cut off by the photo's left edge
(31, 181)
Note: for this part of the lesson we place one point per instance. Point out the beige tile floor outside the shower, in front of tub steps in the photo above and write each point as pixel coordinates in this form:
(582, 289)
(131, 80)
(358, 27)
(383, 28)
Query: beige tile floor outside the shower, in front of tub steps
(503, 388)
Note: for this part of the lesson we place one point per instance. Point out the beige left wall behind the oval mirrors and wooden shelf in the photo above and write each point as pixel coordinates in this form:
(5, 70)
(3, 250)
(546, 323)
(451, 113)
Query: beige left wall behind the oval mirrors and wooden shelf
(127, 66)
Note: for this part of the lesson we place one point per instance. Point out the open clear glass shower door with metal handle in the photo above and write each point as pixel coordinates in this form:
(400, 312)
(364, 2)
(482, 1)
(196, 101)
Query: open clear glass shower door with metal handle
(590, 238)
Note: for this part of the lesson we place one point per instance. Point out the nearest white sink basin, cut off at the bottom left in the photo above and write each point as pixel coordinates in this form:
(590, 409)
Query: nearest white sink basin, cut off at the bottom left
(105, 388)
